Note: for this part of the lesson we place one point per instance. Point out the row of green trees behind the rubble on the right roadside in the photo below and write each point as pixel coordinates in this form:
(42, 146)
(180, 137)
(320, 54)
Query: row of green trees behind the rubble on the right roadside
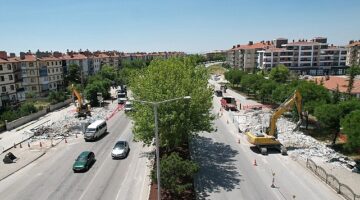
(274, 87)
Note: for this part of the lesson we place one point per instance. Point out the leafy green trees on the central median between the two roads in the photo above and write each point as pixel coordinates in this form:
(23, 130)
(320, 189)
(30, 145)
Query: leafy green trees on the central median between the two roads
(178, 120)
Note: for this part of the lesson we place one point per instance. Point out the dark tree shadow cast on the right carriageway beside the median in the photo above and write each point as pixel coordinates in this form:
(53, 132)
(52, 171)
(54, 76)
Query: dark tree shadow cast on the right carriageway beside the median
(217, 166)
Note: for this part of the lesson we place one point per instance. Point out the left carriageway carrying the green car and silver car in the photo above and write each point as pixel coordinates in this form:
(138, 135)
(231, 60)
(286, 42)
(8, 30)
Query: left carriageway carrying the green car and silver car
(51, 177)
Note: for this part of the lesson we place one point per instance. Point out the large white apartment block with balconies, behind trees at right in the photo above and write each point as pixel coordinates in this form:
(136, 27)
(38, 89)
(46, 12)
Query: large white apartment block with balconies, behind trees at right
(313, 57)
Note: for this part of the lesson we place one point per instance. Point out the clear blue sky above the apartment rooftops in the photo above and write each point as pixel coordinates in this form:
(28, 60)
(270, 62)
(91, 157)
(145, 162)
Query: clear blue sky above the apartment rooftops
(170, 25)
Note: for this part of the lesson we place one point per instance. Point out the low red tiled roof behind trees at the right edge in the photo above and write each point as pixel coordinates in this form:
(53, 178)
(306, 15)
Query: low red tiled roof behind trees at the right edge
(343, 82)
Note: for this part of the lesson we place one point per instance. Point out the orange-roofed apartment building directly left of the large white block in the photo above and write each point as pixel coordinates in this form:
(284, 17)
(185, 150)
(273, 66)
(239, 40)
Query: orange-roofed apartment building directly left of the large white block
(245, 57)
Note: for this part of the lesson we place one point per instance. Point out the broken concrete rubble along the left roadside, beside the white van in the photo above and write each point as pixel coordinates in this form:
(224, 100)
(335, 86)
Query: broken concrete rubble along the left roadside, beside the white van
(68, 124)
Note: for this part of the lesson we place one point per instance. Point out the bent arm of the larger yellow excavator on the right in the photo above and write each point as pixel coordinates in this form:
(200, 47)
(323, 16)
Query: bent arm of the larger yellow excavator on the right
(287, 105)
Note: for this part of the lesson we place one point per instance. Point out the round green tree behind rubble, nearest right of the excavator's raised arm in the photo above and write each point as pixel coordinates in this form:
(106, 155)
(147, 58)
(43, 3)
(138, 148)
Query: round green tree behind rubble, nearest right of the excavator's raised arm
(329, 118)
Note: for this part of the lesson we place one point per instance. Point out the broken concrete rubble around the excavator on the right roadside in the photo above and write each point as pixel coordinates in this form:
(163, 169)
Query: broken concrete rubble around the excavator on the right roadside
(298, 144)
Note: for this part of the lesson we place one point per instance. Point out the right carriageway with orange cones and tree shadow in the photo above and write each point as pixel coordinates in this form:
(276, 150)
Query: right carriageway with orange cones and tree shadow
(228, 171)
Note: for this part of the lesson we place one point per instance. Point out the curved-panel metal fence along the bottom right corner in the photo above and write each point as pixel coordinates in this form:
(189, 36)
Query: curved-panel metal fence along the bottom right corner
(332, 181)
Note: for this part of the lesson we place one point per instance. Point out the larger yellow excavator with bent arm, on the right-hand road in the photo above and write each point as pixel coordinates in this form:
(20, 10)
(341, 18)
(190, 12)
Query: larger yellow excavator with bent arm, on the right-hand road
(268, 140)
